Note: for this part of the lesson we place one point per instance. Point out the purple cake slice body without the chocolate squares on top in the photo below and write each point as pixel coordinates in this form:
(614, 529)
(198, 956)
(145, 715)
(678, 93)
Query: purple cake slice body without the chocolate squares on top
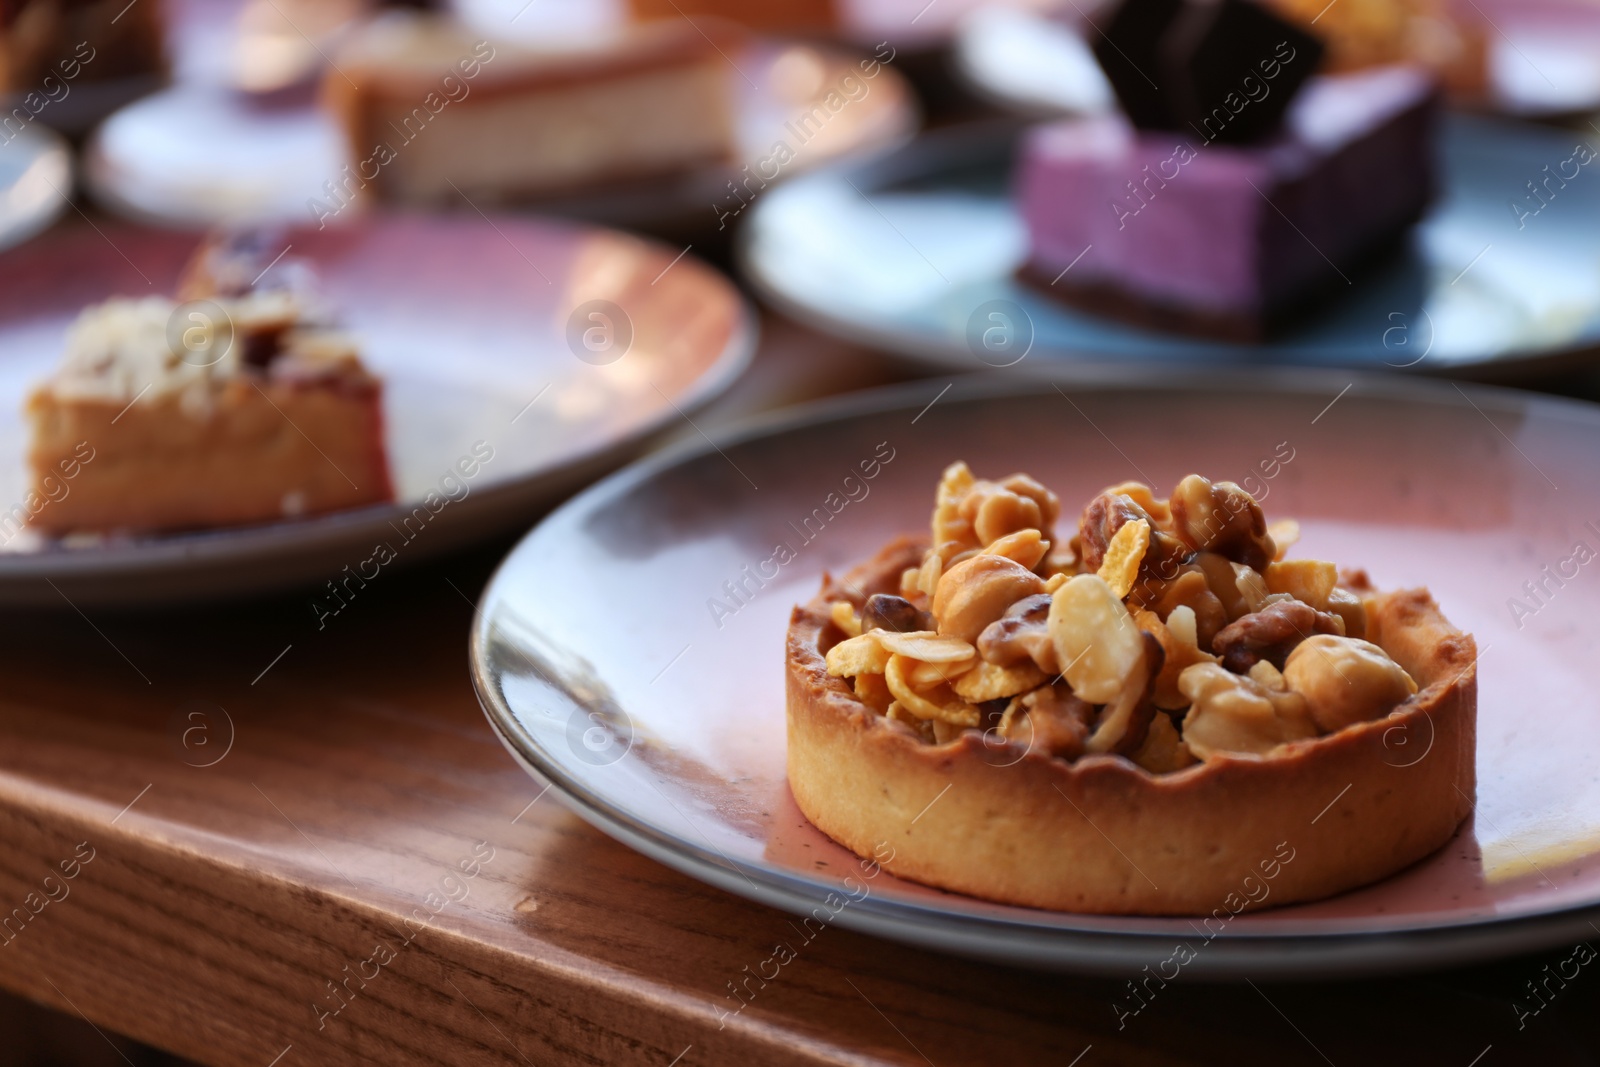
(1183, 233)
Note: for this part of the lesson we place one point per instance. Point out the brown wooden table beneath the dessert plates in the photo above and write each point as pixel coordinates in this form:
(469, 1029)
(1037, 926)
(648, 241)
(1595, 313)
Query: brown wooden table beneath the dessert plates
(297, 847)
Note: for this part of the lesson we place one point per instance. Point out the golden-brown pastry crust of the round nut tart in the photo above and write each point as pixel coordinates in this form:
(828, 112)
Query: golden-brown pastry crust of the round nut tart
(1105, 836)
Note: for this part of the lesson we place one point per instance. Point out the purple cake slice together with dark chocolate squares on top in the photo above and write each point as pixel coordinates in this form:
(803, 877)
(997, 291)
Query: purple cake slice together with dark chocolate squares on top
(1241, 191)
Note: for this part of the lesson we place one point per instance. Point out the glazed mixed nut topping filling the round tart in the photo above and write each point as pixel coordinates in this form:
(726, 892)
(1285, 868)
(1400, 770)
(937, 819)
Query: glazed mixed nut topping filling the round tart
(1164, 633)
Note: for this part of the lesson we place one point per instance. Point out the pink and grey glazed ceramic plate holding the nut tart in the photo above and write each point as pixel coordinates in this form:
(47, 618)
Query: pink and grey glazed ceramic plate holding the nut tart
(606, 665)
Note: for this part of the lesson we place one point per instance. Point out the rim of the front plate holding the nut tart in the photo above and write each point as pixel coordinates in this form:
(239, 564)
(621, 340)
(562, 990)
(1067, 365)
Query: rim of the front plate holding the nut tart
(1234, 956)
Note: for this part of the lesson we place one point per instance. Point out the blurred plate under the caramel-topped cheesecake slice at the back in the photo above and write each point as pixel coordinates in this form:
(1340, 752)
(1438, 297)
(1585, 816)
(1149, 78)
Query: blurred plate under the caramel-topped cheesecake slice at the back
(201, 154)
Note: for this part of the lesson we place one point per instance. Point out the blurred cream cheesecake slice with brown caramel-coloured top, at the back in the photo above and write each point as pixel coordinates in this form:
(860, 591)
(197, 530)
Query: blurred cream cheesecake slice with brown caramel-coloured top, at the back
(433, 113)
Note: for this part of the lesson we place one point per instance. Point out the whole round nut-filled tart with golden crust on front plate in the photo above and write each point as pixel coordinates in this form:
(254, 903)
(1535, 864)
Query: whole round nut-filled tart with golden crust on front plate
(1134, 721)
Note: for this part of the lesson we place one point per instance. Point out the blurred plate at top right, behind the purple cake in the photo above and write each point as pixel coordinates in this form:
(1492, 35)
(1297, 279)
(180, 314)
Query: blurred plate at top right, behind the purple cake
(1540, 60)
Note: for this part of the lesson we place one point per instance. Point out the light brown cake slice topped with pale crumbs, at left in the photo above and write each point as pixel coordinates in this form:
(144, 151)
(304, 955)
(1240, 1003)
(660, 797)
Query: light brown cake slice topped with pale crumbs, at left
(234, 402)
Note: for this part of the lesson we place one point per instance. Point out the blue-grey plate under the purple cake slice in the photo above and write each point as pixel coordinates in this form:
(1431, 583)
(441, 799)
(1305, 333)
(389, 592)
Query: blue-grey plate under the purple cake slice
(916, 254)
